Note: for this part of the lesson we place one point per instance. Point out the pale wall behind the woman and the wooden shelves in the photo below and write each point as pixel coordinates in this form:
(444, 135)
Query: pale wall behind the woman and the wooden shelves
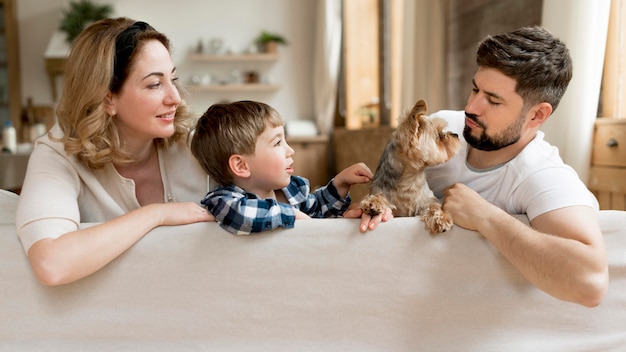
(186, 22)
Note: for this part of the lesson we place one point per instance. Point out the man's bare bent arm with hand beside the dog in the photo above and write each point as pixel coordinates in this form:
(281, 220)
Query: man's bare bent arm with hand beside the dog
(562, 252)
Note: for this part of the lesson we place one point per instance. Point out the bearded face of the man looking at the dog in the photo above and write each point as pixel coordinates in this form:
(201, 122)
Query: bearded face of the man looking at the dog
(495, 116)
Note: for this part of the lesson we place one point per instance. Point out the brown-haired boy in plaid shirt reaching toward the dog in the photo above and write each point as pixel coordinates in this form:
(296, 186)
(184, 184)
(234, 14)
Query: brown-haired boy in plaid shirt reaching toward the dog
(241, 145)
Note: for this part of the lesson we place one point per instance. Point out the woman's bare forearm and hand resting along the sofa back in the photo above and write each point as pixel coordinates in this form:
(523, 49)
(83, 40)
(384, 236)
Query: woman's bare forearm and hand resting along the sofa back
(77, 254)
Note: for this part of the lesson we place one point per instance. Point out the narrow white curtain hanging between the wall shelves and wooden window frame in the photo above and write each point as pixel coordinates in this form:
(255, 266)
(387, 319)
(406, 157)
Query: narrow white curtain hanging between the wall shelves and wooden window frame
(326, 63)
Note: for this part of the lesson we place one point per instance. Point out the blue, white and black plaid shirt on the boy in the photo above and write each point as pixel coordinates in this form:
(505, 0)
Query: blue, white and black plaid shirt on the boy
(242, 212)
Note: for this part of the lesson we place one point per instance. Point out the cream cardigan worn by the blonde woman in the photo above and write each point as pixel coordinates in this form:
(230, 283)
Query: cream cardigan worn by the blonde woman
(60, 192)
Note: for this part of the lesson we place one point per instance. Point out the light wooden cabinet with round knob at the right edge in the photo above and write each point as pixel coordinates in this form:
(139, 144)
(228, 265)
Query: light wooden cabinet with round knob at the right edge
(608, 163)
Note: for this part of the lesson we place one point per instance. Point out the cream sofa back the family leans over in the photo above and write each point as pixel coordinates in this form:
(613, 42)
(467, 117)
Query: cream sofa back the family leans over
(322, 286)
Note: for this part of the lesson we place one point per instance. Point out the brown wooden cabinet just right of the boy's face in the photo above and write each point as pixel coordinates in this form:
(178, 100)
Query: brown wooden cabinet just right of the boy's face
(311, 159)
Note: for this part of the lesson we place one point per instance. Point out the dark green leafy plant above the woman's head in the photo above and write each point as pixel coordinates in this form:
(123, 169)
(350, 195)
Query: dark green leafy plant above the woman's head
(80, 14)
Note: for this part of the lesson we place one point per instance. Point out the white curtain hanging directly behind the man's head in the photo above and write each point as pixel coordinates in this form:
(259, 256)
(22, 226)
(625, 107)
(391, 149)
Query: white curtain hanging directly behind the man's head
(583, 26)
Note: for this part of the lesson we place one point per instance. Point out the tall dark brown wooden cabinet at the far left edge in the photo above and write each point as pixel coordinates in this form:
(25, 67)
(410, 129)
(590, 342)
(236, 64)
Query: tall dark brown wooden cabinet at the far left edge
(10, 87)
